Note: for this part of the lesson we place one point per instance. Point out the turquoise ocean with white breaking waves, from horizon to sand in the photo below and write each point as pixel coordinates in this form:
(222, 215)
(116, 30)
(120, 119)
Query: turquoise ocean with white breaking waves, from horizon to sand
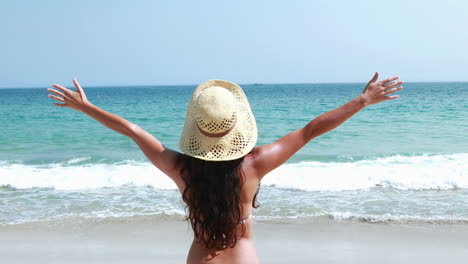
(403, 160)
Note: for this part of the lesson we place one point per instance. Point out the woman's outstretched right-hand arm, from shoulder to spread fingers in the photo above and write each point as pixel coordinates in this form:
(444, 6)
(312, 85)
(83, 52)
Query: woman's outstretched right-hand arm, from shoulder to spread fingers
(268, 157)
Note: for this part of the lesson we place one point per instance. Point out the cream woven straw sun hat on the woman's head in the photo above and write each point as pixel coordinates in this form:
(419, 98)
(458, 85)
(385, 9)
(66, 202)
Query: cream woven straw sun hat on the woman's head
(219, 124)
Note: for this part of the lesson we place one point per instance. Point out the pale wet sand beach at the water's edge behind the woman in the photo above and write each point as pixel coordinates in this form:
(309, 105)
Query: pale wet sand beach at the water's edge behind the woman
(146, 241)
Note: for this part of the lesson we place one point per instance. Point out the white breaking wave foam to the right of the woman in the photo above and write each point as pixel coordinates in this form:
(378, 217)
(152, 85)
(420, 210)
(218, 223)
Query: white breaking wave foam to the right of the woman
(424, 172)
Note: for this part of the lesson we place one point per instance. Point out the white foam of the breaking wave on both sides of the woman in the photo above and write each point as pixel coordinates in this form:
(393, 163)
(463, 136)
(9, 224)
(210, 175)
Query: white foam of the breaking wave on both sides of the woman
(422, 172)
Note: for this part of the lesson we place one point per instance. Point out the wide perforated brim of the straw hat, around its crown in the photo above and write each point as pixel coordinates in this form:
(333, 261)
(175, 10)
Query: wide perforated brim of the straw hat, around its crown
(234, 145)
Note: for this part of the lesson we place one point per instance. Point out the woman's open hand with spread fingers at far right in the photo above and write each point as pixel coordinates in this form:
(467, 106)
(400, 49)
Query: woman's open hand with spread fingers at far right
(376, 92)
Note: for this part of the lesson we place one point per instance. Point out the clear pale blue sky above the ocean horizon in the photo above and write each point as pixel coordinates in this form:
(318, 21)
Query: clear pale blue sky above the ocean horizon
(187, 42)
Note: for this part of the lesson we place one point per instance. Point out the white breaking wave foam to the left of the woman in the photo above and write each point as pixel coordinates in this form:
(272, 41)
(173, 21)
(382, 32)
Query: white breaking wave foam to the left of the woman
(88, 176)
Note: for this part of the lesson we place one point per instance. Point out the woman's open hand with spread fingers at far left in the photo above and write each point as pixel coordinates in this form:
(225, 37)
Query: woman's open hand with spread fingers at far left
(74, 100)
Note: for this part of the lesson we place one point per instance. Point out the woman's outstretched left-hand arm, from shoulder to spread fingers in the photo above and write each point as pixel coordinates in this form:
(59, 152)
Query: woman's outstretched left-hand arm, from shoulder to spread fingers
(163, 158)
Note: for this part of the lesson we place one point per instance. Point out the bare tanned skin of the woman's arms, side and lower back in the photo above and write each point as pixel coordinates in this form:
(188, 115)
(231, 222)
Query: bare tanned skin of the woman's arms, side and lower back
(256, 164)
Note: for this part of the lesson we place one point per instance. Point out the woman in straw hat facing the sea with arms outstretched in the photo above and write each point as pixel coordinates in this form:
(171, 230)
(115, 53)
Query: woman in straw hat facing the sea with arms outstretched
(220, 169)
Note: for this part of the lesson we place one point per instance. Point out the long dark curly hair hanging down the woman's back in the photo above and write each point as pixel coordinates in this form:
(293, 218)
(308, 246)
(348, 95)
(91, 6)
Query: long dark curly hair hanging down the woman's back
(212, 197)
